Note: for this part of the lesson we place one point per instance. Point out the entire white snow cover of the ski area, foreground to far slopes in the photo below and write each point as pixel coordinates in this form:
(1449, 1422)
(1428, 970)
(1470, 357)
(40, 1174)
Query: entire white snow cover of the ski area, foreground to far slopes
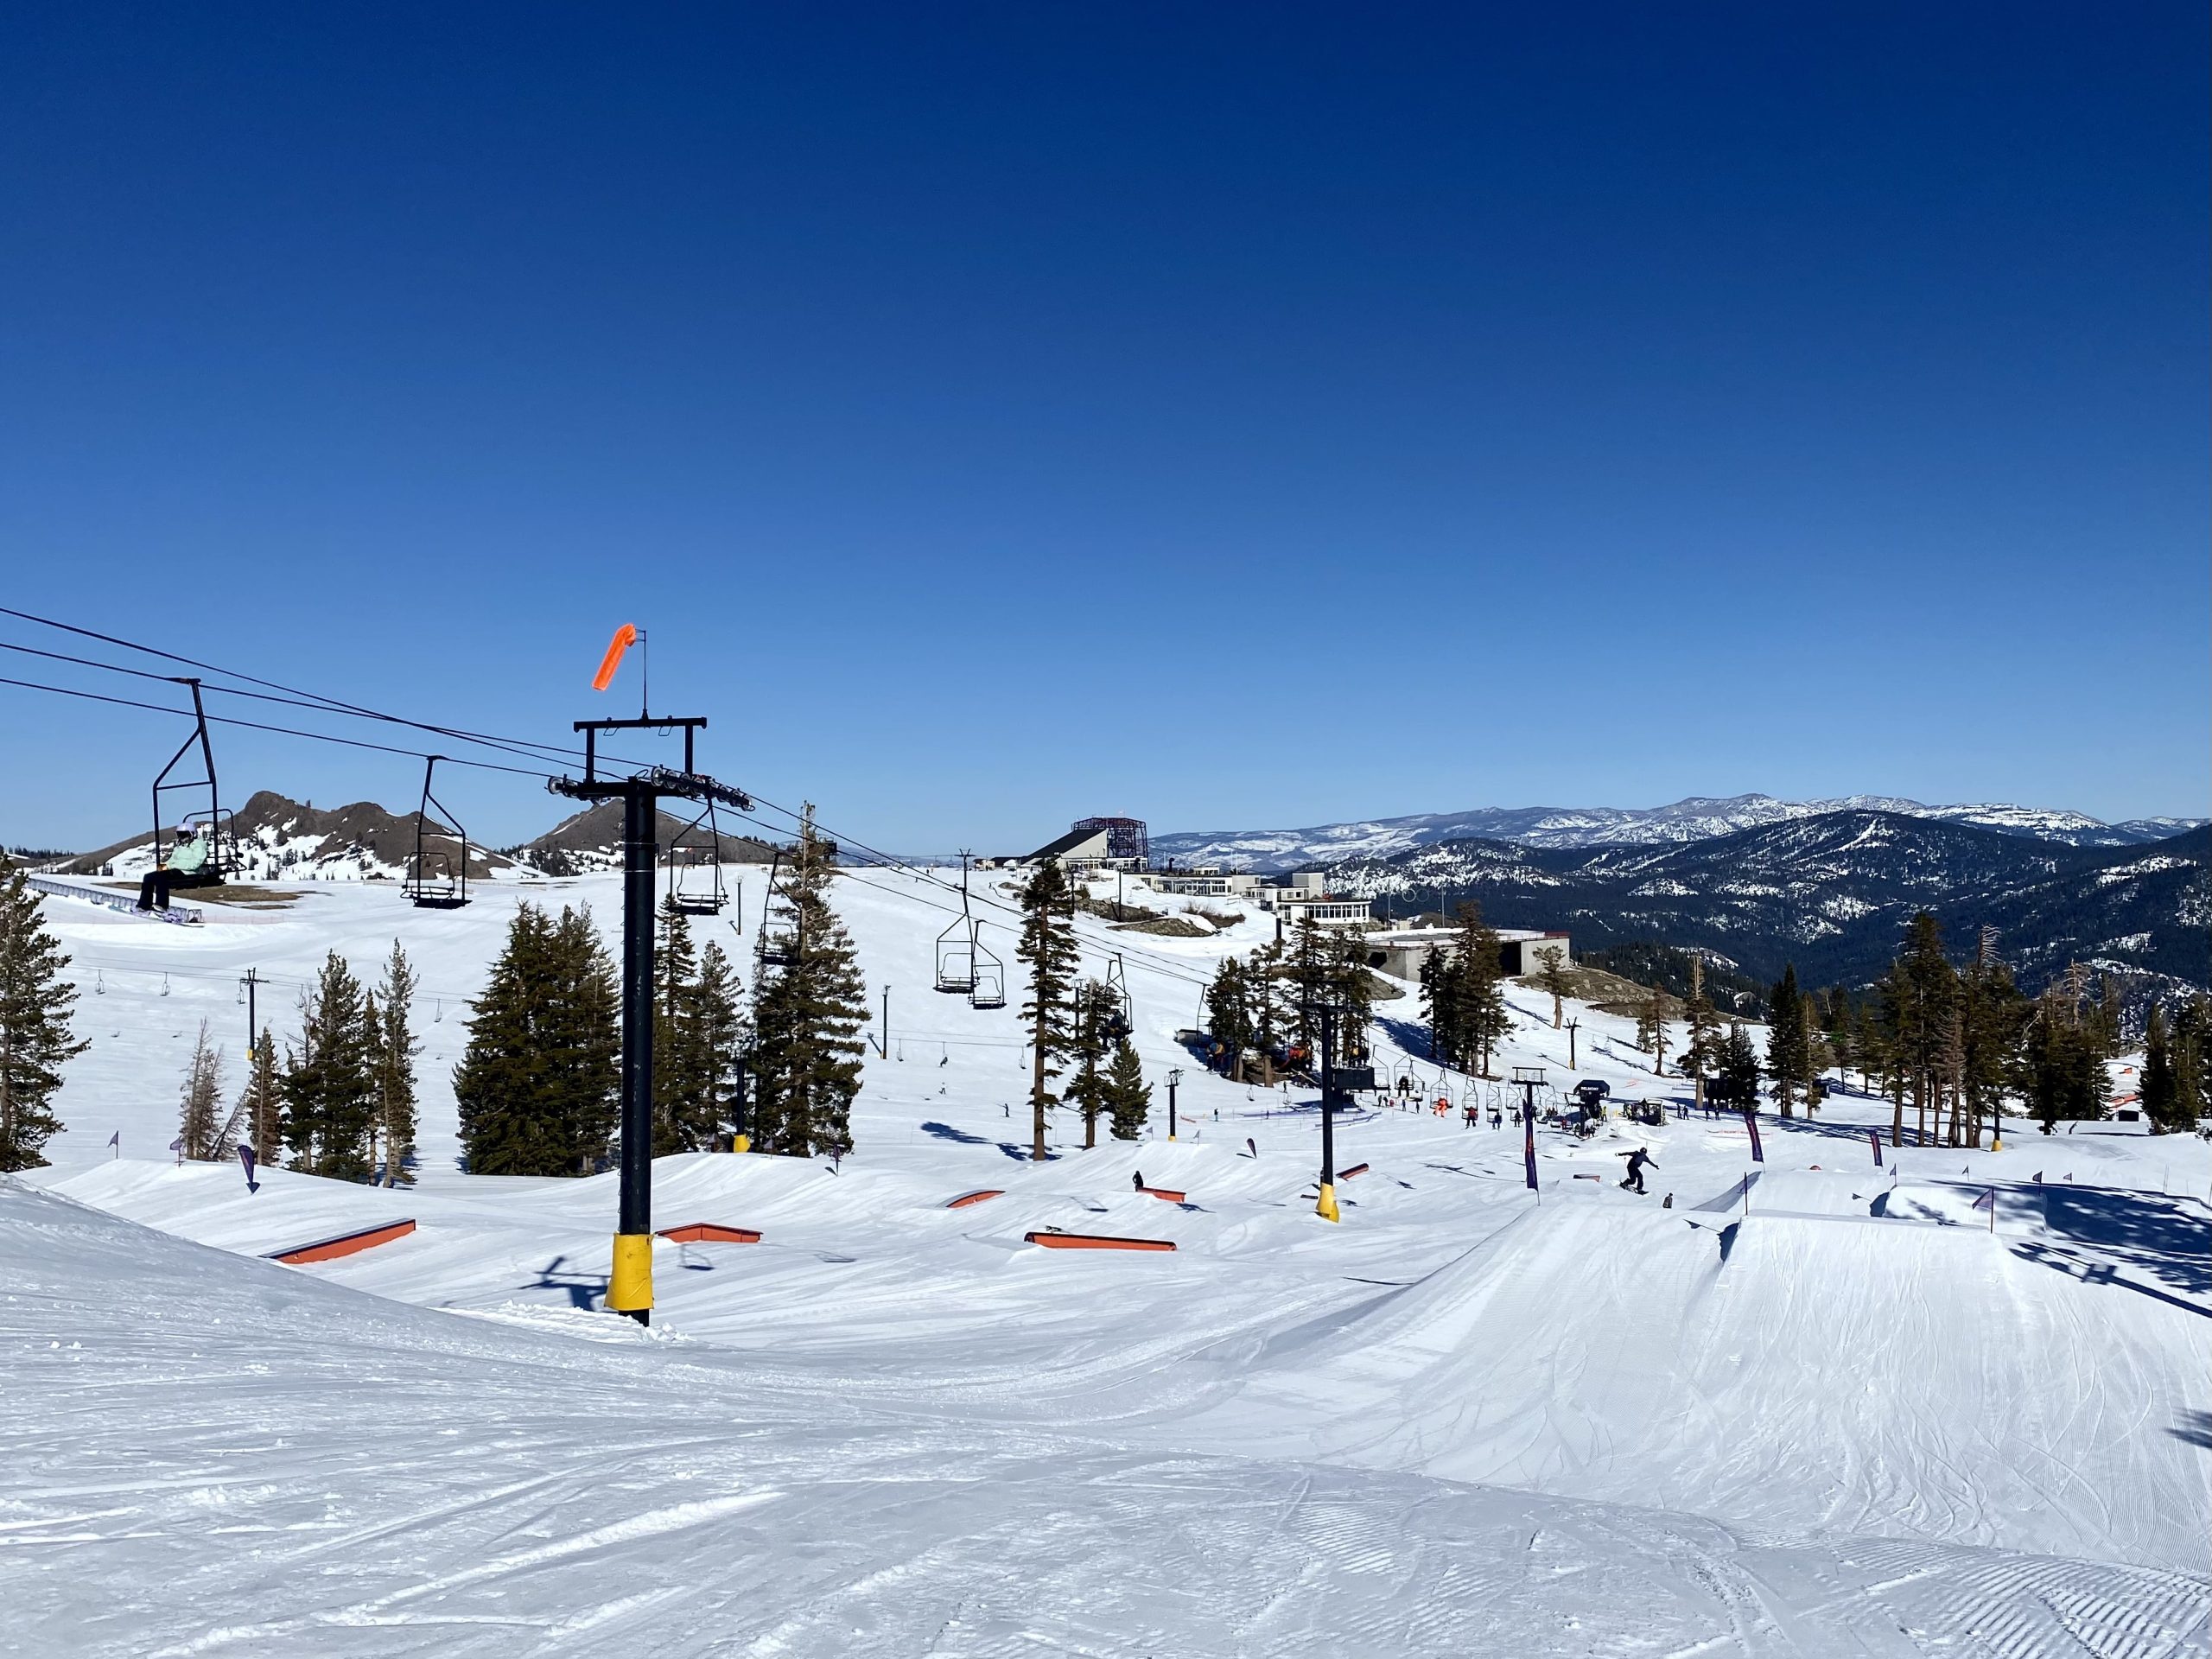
(1833, 1417)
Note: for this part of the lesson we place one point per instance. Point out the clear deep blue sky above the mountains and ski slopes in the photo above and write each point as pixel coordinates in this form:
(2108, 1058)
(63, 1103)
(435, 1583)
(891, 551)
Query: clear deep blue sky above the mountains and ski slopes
(1222, 415)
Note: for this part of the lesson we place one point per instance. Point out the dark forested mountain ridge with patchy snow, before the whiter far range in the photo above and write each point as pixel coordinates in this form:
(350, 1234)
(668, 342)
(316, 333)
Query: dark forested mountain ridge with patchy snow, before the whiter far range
(1833, 893)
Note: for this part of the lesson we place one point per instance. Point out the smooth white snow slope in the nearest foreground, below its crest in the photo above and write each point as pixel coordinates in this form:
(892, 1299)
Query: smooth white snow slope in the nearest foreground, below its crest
(225, 1457)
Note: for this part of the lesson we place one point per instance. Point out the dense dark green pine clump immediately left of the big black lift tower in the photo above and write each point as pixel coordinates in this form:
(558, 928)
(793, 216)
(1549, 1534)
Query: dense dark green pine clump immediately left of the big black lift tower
(541, 1083)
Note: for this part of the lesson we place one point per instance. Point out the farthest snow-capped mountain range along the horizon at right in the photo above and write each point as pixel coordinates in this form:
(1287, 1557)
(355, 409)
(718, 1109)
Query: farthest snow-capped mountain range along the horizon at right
(1695, 820)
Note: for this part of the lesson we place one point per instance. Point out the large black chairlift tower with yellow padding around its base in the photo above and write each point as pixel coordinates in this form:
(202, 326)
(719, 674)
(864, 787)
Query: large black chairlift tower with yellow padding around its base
(632, 1282)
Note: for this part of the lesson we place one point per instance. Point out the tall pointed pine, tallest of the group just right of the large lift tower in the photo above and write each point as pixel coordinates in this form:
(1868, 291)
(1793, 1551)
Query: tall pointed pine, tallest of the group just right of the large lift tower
(808, 1016)
